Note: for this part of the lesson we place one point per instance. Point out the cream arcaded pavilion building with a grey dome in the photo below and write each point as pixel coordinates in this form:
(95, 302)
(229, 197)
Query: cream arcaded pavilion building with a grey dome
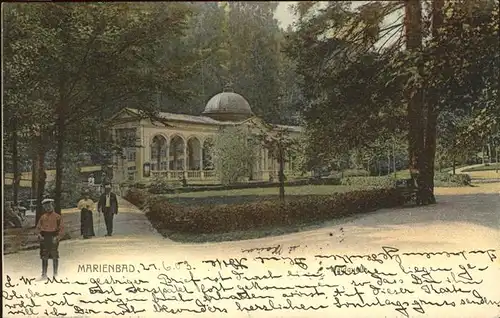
(177, 146)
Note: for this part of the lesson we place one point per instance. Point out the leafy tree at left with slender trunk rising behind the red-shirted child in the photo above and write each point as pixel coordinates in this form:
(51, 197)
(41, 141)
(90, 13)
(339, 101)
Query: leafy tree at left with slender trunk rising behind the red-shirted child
(84, 56)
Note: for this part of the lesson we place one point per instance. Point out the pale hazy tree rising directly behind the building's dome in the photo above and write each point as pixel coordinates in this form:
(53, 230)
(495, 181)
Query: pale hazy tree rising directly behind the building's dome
(238, 43)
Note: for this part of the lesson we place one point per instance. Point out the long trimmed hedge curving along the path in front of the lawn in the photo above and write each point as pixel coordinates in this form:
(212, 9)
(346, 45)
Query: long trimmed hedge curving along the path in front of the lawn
(236, 217)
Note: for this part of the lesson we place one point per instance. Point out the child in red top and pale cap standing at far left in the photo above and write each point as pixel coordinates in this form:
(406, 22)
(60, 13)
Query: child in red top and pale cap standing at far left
(50, 230)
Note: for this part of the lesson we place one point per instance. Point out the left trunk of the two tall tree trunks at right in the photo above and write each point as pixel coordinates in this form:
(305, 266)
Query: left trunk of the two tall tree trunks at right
(414, 96)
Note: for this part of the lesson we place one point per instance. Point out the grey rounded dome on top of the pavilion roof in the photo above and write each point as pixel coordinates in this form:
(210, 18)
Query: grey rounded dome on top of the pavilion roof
(228, 106)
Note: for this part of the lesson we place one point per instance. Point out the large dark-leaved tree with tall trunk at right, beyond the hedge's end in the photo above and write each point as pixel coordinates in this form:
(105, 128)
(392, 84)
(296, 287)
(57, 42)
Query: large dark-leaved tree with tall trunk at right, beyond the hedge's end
(357, 71)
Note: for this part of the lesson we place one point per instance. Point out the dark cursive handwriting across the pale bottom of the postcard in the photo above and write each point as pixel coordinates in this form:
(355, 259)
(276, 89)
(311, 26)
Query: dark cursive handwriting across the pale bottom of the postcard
(270, 282)
